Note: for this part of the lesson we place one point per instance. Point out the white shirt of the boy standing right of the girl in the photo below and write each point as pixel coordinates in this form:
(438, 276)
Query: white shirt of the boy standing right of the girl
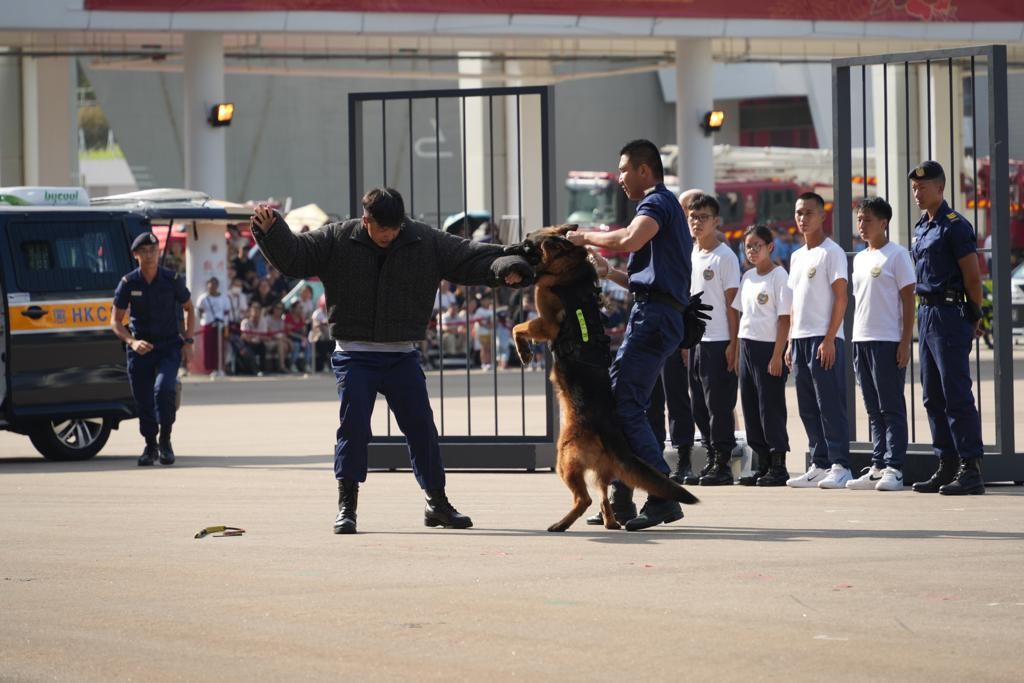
(813, 273)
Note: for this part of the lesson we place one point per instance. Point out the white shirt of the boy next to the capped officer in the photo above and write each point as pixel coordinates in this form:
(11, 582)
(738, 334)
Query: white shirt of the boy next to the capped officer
(879, 275)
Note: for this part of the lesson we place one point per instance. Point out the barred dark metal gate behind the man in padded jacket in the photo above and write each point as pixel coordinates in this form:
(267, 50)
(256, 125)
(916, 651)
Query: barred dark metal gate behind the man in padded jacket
(467, 161)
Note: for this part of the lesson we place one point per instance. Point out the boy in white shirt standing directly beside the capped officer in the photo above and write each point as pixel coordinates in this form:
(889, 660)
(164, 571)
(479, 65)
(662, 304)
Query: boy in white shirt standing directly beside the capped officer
(884, 280)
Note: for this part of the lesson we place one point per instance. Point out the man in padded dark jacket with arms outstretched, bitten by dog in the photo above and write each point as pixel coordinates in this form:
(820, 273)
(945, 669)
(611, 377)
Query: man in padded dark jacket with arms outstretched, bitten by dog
(380, 275)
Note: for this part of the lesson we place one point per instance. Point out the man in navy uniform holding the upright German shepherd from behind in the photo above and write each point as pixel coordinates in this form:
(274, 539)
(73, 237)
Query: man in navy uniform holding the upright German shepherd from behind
(658, 274)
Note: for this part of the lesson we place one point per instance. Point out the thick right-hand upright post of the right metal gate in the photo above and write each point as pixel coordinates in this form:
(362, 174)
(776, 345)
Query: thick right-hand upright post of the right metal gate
(999, 141)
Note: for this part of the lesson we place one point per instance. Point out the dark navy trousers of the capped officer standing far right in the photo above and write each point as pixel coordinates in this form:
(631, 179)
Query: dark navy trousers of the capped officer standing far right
(946, 379)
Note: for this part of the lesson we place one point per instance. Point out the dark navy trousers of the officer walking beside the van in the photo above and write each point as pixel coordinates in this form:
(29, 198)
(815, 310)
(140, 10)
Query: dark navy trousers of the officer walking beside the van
(154, 378)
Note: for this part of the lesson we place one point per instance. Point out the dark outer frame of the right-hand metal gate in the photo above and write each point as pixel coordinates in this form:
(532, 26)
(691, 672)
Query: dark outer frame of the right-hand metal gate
(1003, 463)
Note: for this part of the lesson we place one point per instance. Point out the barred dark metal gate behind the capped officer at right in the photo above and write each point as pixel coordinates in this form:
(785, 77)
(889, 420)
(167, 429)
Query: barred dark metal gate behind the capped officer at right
(924, 116)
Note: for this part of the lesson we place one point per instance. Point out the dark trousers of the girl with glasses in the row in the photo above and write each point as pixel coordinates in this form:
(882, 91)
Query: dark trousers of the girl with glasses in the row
(763, 399)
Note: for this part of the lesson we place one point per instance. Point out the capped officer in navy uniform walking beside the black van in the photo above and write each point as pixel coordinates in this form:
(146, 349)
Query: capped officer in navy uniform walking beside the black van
(153, 296)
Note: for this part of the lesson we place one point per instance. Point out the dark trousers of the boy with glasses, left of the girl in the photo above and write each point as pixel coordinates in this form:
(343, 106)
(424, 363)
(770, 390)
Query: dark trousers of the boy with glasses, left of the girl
(713, 392)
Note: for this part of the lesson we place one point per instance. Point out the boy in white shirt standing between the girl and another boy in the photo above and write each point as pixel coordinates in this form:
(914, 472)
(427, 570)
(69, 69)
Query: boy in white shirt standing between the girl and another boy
(817, 354)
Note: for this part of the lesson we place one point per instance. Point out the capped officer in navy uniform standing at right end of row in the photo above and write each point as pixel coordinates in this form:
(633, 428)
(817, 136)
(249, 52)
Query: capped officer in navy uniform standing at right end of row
(950, 293)
